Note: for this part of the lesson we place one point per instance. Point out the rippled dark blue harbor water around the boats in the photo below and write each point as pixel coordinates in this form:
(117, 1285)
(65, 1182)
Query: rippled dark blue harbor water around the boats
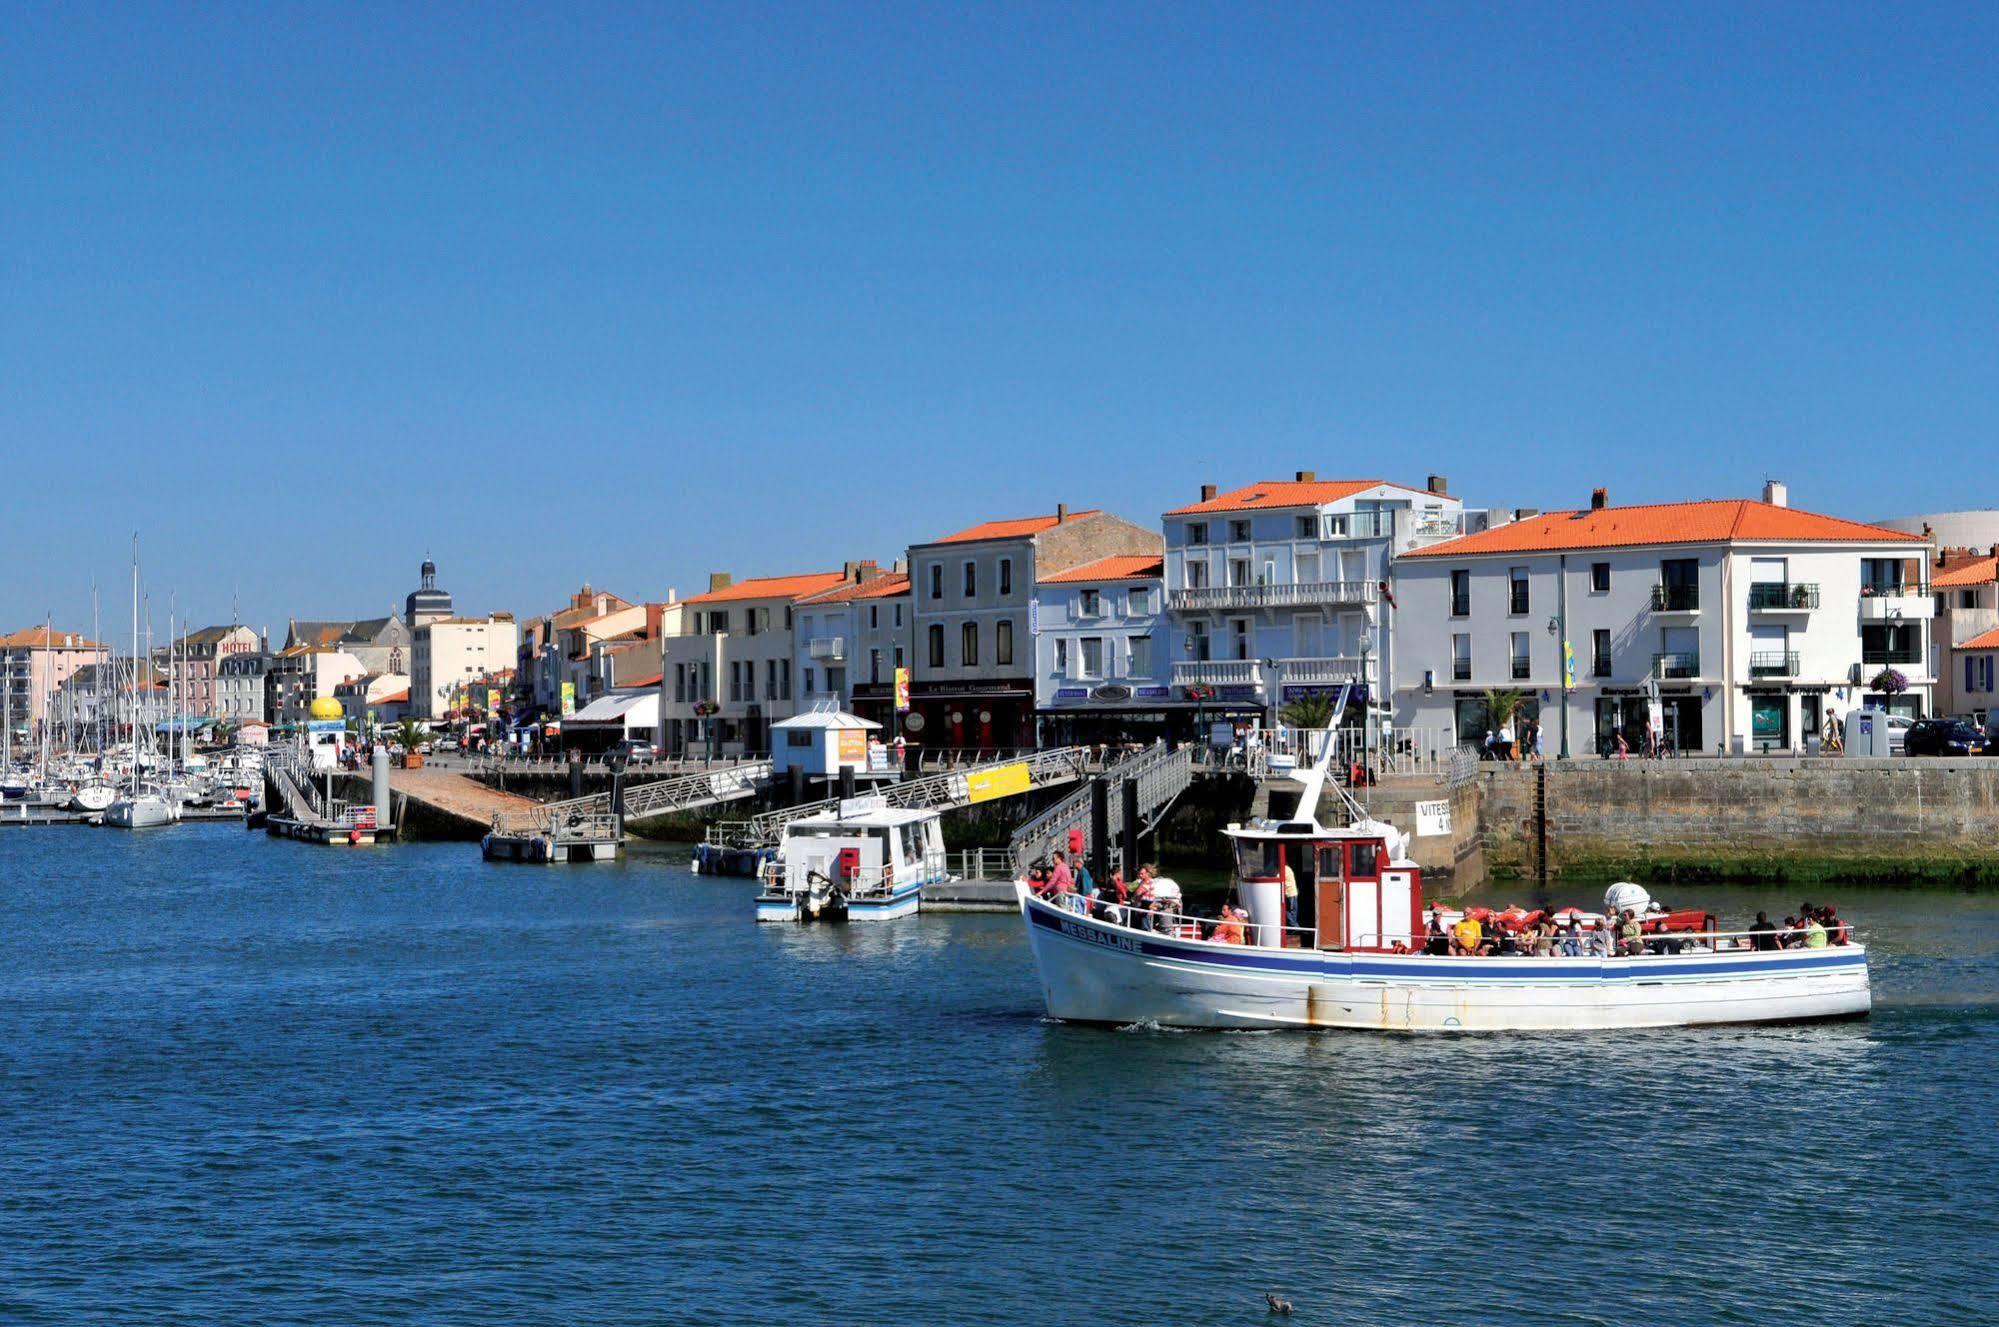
(253, 1082)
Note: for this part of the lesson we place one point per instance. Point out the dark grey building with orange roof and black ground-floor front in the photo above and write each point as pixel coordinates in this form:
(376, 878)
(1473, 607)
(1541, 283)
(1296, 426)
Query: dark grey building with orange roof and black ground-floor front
(973, 674)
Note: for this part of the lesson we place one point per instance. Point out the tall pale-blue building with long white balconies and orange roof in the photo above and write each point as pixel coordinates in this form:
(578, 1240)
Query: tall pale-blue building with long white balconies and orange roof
(1274, 591)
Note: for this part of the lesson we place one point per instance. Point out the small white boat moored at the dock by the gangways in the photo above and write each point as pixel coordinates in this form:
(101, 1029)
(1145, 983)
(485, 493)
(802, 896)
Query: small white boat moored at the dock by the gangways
(863, 862)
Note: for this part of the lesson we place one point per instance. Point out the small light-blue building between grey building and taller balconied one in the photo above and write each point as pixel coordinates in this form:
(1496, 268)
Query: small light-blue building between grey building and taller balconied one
(1100, 653)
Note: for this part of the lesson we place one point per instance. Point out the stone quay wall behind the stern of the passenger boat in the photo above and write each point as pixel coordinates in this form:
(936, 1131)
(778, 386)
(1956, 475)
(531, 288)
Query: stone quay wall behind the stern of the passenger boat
(1702, 820)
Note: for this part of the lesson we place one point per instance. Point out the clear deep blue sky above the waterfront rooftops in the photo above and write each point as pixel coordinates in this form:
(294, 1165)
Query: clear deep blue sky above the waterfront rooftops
(301, 293)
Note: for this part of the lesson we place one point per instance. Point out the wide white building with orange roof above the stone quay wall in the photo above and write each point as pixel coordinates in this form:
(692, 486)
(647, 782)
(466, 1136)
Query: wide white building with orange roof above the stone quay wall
(1748, 621)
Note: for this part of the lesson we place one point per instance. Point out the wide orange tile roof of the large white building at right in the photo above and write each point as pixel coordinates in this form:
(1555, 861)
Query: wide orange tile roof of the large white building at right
(1722, 521)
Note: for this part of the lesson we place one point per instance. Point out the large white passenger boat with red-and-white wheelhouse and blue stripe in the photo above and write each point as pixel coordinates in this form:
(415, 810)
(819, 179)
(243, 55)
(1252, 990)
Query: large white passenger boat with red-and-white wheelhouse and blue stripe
(1354, 958)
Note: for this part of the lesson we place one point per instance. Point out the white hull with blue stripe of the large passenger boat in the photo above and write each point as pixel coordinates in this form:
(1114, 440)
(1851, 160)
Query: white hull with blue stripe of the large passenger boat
(1102, 974)
